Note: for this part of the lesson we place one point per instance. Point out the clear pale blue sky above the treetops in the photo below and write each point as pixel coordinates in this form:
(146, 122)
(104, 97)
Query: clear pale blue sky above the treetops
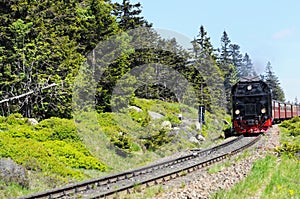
(268, 30)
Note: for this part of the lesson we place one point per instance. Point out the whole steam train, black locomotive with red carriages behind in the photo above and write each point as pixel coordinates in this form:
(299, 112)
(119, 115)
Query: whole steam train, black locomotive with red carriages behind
(254, 111)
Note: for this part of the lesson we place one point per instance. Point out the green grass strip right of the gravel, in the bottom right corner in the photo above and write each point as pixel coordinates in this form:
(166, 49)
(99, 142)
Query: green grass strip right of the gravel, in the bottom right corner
(272, 177)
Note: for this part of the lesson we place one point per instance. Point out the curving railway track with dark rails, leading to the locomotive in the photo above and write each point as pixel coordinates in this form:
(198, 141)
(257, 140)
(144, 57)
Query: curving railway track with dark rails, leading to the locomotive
(147, 175)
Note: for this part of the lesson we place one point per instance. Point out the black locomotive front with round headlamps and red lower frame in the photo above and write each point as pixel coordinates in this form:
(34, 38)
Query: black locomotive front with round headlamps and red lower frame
(251, 107)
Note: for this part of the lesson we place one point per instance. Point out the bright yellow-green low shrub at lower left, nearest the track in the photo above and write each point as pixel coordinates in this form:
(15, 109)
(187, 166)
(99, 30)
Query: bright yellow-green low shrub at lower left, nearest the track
(50, 156)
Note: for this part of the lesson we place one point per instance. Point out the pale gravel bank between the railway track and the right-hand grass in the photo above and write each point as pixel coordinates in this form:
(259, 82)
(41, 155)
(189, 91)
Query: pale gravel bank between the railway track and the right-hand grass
(202, 184)
